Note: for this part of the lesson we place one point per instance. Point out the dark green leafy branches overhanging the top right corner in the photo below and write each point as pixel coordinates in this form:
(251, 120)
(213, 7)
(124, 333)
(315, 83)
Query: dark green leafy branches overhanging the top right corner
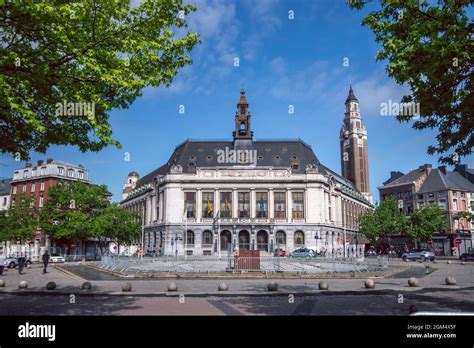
(429, 47)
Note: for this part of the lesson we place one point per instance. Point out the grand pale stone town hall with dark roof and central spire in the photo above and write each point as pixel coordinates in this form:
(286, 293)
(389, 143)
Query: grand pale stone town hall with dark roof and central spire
(214, 197)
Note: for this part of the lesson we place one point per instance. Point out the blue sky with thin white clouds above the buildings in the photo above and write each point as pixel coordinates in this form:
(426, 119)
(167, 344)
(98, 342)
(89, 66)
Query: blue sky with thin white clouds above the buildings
(282, 62)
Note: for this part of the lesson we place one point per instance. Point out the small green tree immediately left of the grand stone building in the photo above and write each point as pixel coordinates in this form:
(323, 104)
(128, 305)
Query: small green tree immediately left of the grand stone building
(116, 224)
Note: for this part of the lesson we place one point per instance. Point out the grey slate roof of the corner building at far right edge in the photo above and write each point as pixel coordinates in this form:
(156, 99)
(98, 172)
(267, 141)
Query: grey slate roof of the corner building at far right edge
(439, 181)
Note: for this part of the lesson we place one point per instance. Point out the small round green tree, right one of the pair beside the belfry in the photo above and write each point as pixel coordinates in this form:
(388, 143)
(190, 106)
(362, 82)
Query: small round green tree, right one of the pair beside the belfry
(426, 221)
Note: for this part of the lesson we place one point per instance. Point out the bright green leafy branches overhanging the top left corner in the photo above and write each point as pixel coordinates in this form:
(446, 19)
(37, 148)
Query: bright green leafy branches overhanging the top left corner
(103, 53)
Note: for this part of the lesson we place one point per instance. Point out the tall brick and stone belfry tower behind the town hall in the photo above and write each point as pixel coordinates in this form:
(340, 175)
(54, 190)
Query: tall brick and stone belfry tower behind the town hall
(353, 138)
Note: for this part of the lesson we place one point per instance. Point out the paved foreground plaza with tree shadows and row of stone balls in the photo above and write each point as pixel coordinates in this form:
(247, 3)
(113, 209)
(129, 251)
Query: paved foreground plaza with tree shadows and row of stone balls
(346, 296)
